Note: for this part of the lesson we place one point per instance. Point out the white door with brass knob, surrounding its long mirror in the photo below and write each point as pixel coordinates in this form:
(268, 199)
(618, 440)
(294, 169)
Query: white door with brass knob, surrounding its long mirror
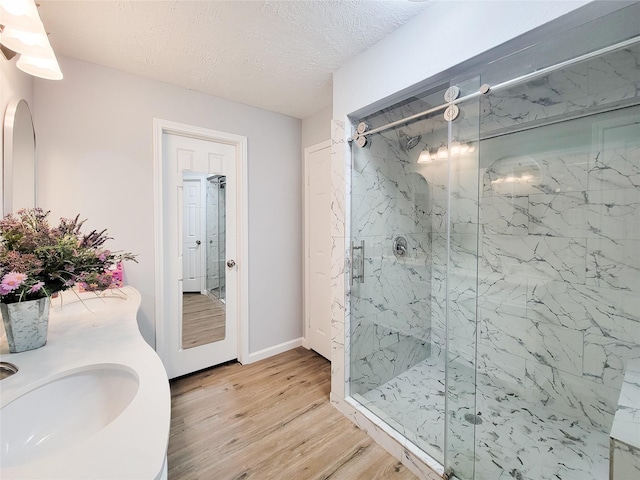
(184, 157)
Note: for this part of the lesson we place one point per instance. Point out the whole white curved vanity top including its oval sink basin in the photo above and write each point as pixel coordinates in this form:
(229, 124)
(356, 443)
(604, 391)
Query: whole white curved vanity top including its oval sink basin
(94, 402)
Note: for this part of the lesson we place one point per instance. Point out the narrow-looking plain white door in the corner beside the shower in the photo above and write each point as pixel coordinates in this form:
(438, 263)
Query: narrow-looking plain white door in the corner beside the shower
(318, 247)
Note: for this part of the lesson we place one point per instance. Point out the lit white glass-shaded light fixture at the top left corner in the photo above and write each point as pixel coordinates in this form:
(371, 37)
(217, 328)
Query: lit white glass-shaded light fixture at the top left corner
(22, 31)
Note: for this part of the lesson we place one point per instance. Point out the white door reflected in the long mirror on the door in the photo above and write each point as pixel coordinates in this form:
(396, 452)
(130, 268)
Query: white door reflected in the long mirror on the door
(193, 260)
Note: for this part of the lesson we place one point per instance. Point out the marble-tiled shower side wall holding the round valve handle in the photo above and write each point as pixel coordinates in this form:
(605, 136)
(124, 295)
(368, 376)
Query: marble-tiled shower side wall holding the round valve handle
(390, 310)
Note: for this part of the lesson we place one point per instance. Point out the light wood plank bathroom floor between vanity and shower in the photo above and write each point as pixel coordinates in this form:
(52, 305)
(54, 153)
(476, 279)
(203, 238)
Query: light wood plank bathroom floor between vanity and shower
(269, 420)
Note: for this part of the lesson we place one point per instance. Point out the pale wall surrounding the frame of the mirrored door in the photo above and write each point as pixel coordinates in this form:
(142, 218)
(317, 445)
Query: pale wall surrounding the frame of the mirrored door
(95, 143)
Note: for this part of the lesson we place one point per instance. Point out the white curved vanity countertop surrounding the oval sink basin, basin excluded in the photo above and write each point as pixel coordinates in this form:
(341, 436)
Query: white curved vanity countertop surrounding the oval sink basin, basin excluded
(134, 445)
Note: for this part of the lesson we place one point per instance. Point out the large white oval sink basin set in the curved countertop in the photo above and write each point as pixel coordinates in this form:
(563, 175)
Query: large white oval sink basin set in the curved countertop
(63, 412)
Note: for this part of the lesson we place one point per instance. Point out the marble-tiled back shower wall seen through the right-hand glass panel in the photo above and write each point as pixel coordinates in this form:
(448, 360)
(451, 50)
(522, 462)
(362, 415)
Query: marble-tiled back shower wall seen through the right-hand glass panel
(559, 271)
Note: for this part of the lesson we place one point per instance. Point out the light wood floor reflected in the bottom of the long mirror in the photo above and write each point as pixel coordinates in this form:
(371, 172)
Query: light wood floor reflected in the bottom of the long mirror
(203, 320)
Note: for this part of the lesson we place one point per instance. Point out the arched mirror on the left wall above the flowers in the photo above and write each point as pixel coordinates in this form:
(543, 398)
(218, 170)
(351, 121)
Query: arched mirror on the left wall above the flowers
(19, 158)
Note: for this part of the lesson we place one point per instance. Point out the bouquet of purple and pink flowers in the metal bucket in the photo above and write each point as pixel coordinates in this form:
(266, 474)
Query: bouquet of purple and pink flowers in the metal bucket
(37, 260)
